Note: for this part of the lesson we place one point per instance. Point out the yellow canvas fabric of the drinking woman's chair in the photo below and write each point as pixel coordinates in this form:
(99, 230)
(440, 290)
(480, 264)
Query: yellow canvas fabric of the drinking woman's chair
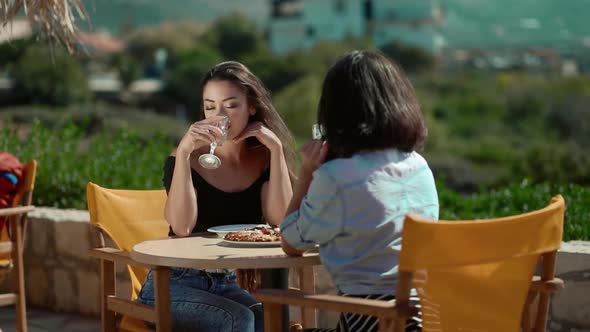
(128, 217)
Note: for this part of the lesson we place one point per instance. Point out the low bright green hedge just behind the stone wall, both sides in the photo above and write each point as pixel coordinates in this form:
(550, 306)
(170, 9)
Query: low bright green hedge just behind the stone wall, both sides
(68, 159)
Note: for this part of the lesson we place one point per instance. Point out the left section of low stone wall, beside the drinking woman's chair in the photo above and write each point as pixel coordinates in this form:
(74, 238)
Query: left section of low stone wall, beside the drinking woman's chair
(59, 274)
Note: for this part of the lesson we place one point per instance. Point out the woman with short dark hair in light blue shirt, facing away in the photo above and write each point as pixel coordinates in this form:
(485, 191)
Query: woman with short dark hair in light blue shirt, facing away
(358, 182)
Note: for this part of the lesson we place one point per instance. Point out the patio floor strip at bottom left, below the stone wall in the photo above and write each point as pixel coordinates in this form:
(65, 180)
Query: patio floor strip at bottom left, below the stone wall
(43, 321)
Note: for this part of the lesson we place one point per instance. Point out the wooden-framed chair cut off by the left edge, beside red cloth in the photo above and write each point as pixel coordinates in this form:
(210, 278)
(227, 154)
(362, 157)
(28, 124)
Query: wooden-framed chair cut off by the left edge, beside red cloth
(11, 245)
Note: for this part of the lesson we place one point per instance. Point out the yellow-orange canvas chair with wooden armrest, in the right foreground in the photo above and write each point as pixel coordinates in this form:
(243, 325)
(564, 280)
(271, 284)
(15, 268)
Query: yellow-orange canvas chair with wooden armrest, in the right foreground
(470, 275)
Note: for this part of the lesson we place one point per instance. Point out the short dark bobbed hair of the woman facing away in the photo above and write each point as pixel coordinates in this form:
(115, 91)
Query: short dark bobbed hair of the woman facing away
(368, 103)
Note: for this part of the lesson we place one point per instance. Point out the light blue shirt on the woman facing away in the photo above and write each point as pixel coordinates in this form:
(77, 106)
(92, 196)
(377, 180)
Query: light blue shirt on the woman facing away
(354, 210)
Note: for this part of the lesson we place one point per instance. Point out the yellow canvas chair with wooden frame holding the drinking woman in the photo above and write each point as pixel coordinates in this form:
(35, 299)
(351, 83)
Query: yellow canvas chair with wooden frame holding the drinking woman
(129, 217)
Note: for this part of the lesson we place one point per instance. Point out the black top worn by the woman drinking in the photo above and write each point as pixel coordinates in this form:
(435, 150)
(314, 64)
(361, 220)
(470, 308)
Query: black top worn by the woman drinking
(218, 207)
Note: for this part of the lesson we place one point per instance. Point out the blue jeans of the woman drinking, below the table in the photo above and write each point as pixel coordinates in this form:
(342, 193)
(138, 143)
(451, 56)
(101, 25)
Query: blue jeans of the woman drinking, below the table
(202, 301)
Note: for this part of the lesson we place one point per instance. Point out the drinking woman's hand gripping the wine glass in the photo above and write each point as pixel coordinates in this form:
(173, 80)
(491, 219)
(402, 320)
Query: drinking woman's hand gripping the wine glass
(199, 134)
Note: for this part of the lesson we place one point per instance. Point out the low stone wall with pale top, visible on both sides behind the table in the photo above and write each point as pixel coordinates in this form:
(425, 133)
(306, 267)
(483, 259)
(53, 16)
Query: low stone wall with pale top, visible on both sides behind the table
(62, 277)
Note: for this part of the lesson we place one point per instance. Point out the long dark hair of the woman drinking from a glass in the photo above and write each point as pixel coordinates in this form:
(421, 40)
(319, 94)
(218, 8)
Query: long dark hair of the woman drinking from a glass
(258, 96)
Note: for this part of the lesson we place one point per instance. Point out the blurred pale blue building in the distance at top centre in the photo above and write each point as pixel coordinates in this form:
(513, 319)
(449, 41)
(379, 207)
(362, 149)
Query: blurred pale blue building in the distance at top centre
(300, 24)
